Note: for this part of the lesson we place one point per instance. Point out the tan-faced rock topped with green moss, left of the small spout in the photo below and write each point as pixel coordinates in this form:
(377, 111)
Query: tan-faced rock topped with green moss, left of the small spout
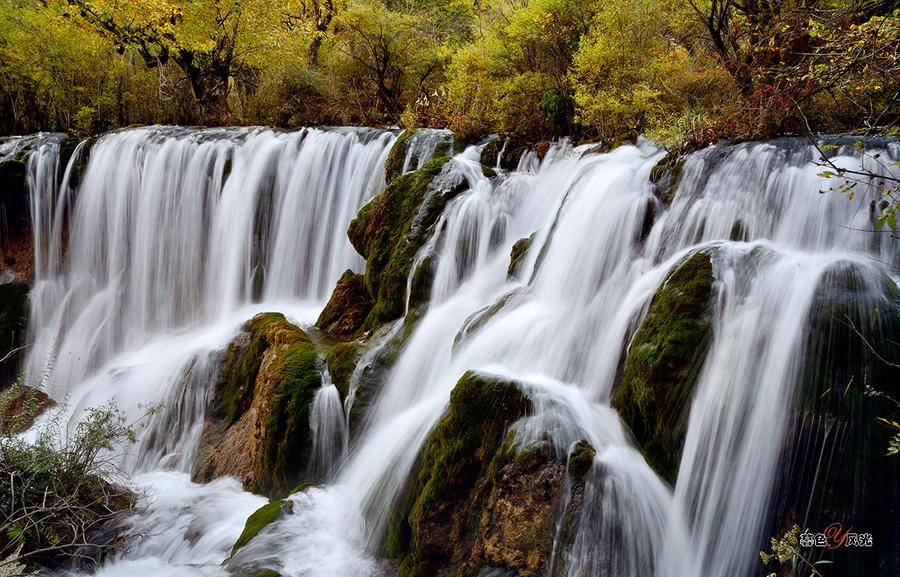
(257, 428)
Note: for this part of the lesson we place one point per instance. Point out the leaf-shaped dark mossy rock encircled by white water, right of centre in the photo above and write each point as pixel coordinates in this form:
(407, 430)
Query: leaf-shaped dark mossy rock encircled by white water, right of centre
(664, 358)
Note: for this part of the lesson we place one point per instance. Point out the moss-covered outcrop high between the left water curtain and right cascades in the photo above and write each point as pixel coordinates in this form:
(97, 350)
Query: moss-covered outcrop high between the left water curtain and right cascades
(390, 230)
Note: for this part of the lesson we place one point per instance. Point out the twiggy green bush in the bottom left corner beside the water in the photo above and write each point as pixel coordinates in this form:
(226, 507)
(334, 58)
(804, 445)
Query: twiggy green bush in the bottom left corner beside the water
(61, 493)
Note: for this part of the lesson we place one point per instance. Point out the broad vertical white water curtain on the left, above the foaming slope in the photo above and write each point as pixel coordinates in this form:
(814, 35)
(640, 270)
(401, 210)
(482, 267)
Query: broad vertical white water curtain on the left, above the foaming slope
(173, 228)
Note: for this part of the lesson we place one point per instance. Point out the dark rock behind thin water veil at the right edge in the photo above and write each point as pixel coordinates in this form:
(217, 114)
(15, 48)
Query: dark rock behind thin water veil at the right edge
(833, 463)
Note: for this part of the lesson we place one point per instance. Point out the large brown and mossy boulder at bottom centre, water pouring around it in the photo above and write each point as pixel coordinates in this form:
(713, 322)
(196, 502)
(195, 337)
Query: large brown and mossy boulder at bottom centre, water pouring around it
(478, 502)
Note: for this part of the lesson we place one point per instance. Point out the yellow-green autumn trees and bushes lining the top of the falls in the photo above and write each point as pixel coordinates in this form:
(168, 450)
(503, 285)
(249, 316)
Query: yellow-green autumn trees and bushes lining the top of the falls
(680, 71)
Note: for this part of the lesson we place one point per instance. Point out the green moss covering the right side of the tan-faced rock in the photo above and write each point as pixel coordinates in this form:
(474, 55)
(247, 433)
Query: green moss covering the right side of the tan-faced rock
(284, 450)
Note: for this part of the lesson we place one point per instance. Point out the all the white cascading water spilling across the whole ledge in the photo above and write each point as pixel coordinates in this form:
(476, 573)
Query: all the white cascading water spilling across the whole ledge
(167, 256)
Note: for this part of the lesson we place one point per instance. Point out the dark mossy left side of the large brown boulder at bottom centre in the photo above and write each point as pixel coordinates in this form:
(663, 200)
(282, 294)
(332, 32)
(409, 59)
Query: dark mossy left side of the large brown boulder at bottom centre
(455, 456)
